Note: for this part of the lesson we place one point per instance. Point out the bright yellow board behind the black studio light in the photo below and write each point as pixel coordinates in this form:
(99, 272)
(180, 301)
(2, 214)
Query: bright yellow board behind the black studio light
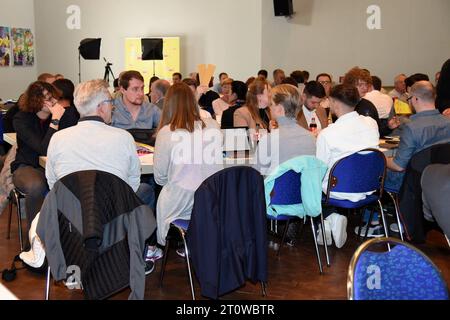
(163, 68)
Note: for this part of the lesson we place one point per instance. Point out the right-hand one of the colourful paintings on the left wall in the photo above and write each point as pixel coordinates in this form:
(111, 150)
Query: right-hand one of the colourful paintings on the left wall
(23, 46)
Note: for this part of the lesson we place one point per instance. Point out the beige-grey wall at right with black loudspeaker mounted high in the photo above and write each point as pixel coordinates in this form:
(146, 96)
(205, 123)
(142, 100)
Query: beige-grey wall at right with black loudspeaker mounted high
(332, 36)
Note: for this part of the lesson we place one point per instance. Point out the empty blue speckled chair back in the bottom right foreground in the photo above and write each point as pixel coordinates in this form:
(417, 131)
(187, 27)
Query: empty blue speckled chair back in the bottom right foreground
(403, 273)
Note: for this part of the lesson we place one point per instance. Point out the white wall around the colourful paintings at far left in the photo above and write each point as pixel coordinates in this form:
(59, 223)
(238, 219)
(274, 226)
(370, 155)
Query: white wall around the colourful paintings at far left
(14, 80)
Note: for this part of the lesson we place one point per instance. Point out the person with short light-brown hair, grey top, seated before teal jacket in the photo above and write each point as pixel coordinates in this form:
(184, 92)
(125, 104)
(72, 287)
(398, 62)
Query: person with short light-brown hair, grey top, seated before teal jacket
(288, 140)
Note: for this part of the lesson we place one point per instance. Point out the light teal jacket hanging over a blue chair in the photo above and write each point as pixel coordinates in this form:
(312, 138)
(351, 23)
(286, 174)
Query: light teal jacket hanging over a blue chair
(312, 172)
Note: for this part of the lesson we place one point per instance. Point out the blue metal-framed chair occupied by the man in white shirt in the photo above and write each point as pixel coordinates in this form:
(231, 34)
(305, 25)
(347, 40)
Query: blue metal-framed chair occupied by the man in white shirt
(360, 172)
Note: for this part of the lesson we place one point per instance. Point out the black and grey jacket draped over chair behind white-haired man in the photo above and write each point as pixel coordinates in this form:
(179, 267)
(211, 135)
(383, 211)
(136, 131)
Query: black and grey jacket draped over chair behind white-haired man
(94, 220)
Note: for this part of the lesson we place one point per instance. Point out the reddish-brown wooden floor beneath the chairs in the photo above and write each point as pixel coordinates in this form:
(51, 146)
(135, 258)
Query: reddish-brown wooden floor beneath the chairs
(293, 276)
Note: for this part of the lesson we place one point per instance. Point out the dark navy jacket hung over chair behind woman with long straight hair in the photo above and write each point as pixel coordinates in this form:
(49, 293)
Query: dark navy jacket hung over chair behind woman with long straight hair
(227, 235)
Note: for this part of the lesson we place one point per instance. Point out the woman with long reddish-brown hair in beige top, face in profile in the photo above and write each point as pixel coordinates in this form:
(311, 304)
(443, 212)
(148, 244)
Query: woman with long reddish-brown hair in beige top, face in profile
(255, 113)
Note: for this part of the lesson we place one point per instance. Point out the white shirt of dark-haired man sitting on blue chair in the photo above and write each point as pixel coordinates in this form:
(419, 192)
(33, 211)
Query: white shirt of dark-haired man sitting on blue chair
(350, 133)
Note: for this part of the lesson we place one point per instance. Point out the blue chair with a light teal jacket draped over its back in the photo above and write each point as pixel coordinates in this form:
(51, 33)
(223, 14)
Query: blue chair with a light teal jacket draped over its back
(287, 191)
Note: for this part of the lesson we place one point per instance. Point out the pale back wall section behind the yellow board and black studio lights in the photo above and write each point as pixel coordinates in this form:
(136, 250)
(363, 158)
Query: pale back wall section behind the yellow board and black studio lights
(226, 33)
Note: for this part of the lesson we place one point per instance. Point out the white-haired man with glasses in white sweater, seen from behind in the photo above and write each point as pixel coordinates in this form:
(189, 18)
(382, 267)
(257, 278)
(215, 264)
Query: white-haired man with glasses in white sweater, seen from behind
(94, 145)
